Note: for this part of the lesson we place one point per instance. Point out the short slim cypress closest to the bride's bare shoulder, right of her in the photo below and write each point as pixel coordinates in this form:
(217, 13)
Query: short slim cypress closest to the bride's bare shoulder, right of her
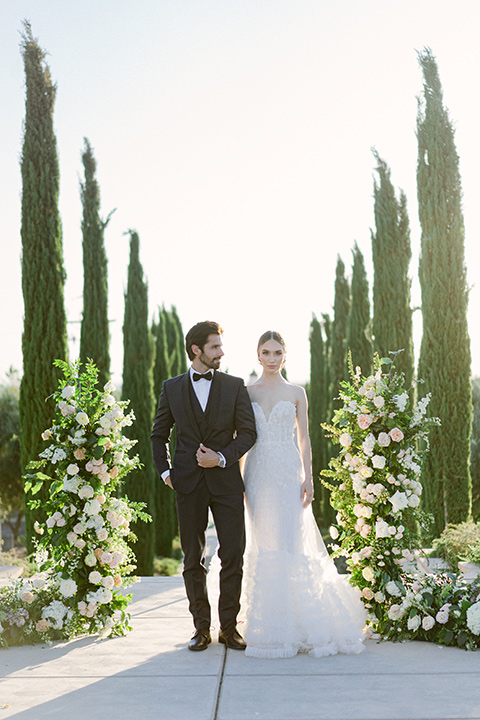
(317, 412)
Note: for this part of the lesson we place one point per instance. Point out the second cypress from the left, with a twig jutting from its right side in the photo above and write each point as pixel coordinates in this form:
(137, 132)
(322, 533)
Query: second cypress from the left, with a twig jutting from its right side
(95, 334)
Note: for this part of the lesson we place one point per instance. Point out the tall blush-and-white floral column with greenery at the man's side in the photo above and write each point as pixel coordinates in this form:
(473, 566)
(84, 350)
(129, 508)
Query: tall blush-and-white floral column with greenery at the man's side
(82, 552)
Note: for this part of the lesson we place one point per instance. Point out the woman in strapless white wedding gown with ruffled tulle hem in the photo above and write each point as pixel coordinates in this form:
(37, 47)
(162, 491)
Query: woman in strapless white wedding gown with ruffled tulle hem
(293, 598)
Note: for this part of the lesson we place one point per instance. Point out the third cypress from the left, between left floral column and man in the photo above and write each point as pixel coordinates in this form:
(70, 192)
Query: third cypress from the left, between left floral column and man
(138, 388)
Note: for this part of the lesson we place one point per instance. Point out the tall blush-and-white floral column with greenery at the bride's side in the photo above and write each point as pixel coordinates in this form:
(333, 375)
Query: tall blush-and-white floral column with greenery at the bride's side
(376, 493)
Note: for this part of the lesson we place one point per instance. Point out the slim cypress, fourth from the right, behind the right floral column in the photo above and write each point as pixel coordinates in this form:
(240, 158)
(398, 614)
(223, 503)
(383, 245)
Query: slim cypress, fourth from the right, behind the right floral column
(341, 309)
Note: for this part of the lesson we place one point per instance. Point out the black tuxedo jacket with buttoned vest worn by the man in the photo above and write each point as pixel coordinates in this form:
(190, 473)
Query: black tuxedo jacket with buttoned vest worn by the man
(226, 426)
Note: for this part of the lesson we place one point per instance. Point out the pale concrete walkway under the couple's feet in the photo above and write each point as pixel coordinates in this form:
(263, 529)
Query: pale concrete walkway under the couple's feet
(151, 674)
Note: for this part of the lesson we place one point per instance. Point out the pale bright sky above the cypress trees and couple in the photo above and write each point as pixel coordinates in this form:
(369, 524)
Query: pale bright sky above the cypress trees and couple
(243, 128)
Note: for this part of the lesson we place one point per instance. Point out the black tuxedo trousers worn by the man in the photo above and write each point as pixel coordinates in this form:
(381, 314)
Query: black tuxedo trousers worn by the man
(229, 518)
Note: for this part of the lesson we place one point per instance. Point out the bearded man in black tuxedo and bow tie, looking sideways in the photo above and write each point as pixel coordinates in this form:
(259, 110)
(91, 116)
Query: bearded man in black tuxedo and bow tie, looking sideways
(215, 426)
